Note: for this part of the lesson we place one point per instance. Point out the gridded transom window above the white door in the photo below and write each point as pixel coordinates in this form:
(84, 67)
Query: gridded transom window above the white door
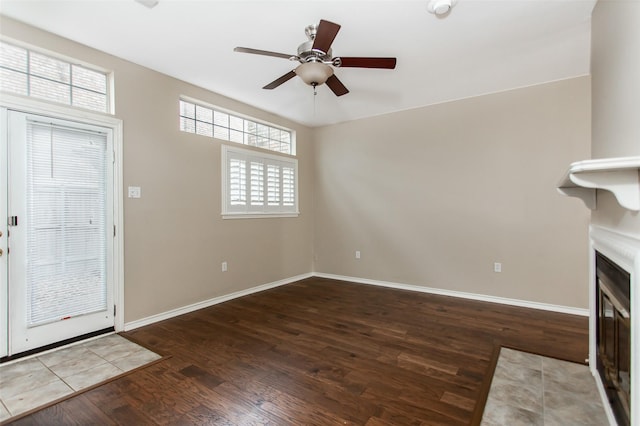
(29, 73)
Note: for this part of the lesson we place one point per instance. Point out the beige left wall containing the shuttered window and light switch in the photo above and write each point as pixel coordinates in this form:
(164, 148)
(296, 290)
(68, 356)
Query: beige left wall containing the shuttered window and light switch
(175, 239)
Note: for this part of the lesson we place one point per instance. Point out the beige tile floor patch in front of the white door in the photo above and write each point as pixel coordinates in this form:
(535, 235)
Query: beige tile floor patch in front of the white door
(33, 382)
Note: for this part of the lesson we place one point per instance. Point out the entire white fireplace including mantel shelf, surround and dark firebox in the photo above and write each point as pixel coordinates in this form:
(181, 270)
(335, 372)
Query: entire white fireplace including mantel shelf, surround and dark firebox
(614, 310)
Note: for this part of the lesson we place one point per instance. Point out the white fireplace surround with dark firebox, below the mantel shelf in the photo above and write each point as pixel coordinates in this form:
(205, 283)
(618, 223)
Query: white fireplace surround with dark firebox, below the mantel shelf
(614, 349)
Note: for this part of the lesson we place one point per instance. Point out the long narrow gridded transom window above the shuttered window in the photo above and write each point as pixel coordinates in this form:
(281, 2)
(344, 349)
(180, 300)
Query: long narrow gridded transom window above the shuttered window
(219, 124)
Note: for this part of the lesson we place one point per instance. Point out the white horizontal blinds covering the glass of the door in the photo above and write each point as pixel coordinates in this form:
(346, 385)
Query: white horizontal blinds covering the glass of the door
(66, 223)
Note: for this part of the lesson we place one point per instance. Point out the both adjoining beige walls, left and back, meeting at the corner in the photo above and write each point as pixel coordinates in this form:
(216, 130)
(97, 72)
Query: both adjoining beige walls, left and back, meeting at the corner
(431, 196)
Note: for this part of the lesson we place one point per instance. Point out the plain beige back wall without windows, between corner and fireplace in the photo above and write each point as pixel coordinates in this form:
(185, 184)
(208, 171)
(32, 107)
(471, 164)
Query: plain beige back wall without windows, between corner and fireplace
(434, 196)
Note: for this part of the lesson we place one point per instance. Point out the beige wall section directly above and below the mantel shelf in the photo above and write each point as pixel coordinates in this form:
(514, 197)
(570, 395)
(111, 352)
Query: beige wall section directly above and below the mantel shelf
(615, 69)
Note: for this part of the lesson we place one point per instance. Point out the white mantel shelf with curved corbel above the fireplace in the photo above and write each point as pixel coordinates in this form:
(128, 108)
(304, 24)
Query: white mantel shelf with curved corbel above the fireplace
(621, 176)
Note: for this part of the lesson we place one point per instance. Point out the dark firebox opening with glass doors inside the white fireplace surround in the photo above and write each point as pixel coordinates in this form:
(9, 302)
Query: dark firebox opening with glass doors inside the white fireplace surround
(613, 335)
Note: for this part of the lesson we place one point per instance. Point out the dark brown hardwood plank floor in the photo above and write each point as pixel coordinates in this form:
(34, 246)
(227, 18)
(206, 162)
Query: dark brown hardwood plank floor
(322, 352)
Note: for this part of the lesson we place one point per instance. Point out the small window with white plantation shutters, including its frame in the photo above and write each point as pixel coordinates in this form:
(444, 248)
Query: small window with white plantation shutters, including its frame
(256, 184)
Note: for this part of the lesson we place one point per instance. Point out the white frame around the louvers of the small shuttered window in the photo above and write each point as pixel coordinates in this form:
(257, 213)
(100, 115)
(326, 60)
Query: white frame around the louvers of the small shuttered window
(248, 212)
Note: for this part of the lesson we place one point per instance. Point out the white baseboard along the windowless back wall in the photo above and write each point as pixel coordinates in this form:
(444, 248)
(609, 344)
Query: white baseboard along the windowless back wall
(464, 295)
